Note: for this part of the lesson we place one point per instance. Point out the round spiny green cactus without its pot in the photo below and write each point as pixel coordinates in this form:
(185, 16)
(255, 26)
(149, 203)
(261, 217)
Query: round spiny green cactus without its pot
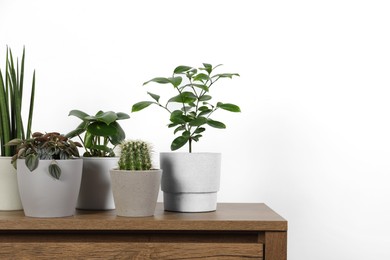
(135, 156)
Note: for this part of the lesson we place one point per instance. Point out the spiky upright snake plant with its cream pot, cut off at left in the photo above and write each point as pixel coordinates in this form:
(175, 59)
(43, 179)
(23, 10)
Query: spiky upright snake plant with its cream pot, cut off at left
(11, 126)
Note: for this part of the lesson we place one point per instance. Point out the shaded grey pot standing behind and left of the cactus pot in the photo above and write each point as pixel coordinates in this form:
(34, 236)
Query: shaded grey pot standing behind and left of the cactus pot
(95, 191)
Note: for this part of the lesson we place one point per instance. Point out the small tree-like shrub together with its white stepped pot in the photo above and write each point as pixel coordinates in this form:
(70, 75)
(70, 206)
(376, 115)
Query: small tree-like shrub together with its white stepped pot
(190, 181)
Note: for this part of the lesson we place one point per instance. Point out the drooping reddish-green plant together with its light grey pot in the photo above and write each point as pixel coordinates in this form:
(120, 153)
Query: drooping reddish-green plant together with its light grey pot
(49, 174)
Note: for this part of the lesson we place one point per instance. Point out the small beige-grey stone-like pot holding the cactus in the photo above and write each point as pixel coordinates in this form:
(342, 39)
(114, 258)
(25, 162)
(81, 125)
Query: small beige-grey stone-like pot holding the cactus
(135, 192)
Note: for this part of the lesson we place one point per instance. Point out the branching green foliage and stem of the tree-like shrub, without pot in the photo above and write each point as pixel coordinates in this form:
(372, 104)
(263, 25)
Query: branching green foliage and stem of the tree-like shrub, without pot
(194, 98)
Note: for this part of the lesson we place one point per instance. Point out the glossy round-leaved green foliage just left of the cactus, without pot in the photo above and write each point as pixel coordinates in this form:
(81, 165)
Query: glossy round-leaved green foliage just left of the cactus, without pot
(101, 131)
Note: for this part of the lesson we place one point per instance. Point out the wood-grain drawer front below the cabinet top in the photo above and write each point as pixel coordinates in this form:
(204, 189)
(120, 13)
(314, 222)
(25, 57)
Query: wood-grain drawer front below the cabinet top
(130, 251)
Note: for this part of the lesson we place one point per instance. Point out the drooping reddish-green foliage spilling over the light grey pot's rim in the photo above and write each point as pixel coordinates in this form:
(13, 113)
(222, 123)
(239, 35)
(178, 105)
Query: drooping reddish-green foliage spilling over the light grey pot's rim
(50, 146)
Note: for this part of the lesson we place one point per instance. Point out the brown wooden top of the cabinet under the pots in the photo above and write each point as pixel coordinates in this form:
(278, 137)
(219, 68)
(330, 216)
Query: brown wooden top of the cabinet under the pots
(229, 216)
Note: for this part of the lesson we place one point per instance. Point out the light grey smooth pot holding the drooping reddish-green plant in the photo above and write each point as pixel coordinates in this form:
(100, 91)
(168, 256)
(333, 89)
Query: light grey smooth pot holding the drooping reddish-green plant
(44, 196)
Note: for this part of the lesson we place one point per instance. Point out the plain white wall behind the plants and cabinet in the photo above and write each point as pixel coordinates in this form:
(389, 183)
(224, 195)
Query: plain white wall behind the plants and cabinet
(312, 140)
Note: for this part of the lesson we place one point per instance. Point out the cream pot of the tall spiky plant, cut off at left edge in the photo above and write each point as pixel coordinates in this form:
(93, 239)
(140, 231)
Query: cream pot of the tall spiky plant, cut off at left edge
(9, 191)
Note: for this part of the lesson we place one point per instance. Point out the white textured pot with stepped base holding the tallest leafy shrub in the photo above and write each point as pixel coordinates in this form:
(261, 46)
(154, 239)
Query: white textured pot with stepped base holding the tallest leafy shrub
(190, 181)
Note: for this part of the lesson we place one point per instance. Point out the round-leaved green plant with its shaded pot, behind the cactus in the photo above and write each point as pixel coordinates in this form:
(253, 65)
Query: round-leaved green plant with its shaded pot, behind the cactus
(102, 133)
